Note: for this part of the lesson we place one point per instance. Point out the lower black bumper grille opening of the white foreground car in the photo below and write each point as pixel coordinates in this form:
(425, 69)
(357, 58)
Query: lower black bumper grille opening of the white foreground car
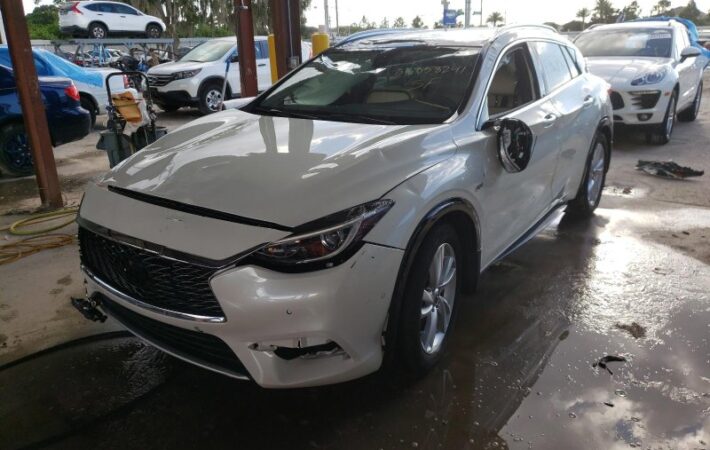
(201, 348)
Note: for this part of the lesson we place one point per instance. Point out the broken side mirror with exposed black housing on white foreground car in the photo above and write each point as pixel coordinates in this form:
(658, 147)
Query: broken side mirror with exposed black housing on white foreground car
(515, 144)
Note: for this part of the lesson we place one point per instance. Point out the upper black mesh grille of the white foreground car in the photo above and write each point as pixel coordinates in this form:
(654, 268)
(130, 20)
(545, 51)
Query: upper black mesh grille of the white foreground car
(153, 279)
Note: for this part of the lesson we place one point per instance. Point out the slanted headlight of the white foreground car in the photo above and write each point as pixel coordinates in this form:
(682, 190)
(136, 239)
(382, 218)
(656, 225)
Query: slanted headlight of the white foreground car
(333, 239)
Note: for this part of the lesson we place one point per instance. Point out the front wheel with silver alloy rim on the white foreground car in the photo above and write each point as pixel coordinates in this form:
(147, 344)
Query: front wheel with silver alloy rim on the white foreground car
(429, 303)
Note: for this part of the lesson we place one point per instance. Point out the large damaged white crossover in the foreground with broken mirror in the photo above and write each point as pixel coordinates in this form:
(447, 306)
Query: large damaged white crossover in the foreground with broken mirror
(331, 224)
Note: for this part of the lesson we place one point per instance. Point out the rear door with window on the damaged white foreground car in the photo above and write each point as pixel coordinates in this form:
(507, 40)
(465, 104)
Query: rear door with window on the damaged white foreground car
(572, 96)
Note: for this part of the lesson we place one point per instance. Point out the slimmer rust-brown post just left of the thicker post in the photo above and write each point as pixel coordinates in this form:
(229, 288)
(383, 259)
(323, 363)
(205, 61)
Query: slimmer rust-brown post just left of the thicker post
(245, 48)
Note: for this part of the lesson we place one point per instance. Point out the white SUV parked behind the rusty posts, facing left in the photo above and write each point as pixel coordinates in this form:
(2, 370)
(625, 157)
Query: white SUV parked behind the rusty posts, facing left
(197, 79)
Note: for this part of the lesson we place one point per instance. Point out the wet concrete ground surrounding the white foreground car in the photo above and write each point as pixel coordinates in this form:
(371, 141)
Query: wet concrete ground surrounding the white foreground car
(633, 282)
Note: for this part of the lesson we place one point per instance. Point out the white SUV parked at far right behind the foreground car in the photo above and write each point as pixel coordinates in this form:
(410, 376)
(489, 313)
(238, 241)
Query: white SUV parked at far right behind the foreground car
(654, 72)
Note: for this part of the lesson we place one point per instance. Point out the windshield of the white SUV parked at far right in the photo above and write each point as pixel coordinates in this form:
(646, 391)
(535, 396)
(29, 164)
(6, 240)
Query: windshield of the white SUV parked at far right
(642, 42)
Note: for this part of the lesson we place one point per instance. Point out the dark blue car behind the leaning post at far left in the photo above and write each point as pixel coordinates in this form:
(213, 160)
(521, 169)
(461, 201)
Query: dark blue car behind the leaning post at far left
(68, 121)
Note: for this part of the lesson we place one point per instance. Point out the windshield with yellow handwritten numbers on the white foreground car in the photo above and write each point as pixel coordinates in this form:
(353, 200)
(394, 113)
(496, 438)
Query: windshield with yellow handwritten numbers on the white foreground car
(400, 85)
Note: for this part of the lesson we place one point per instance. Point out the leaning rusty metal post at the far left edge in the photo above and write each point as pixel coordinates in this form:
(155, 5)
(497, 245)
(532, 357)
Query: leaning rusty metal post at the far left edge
(13, 16)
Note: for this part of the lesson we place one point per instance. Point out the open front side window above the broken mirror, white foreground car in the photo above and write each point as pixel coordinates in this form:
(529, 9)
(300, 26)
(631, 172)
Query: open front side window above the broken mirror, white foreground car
(514, 83)
